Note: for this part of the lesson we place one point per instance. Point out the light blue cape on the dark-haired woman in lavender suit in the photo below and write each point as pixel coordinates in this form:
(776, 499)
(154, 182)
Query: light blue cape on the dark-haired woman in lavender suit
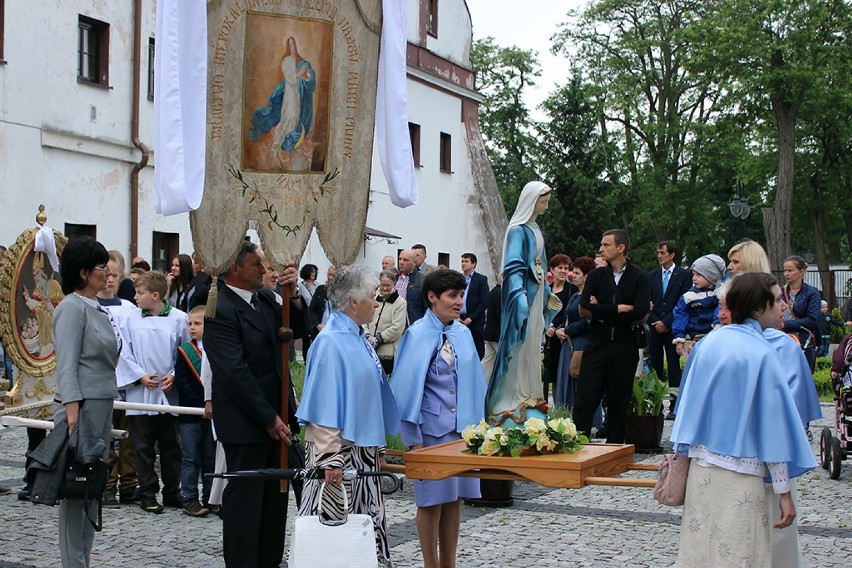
(415, 354)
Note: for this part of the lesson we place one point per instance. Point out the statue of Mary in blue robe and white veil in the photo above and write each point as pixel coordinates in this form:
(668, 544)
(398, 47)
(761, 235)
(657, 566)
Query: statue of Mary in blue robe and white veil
(515, 391)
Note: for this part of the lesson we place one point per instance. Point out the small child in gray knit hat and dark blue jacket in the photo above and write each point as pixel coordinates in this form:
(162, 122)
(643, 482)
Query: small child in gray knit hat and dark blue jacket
(694, 312)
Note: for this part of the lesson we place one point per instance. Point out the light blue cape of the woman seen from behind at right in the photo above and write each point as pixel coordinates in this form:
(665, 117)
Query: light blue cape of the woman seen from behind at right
(736, 401)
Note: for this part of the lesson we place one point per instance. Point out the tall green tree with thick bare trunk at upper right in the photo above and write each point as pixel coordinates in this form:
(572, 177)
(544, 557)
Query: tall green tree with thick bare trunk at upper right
(771, 57)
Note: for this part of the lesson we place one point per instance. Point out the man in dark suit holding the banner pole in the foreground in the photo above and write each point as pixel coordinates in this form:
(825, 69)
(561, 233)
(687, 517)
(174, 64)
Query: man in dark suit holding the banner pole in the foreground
(244, 351)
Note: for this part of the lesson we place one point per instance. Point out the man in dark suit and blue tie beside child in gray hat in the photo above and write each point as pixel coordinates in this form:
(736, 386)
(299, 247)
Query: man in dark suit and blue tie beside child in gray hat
(668, 283)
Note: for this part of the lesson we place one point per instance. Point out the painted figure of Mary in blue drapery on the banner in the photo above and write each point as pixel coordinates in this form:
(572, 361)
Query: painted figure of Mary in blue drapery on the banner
(289, 110)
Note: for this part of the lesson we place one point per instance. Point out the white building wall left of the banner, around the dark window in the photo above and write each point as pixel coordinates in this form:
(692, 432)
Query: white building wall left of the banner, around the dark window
(67, 144)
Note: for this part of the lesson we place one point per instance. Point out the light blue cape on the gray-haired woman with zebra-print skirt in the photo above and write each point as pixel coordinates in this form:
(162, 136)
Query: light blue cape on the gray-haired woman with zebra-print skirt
(345, 386)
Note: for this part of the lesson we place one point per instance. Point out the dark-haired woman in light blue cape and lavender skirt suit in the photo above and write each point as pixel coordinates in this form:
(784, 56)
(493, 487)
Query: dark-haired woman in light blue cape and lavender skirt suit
(440, 388)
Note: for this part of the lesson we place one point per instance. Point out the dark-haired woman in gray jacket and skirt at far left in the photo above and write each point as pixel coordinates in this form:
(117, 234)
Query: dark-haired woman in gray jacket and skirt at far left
(87, 347)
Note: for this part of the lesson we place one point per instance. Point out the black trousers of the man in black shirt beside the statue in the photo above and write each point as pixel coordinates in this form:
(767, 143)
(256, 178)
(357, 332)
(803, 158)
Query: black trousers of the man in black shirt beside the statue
(608, 367)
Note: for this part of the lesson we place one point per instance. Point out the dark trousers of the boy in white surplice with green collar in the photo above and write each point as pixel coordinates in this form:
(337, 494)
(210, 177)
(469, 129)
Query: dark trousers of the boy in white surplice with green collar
(147, 433)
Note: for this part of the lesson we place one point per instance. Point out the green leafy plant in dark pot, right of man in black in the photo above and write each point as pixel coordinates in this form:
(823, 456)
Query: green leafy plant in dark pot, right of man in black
(644, 428)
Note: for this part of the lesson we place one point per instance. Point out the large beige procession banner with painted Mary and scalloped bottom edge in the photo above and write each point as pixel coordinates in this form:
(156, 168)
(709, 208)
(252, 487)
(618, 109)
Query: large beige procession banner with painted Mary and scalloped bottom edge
(291, 95)
